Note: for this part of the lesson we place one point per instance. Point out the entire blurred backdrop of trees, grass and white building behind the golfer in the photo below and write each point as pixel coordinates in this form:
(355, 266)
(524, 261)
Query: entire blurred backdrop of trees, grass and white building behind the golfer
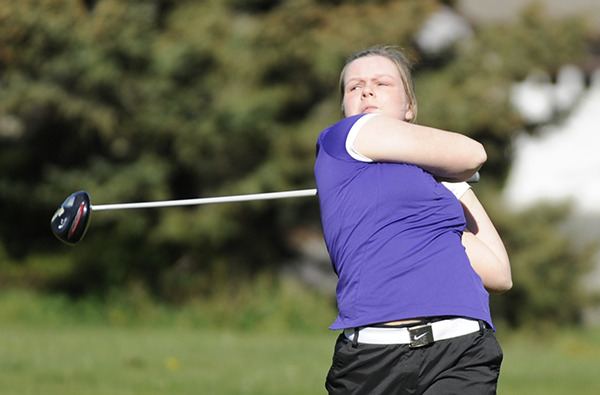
(161, 99)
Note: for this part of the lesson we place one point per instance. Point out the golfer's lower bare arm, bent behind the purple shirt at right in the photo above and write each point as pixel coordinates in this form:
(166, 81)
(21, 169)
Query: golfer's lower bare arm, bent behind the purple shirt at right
(484, 246)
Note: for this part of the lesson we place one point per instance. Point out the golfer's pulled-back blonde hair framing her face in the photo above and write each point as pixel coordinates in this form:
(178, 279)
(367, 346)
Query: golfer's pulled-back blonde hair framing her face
(399, 59)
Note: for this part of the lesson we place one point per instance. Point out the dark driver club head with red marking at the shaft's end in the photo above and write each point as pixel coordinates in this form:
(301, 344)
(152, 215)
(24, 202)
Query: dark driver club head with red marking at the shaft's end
(70, 222)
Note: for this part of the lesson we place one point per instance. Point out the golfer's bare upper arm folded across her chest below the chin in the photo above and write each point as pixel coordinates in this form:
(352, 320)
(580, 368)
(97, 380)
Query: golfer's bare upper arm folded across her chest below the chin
(444, 154)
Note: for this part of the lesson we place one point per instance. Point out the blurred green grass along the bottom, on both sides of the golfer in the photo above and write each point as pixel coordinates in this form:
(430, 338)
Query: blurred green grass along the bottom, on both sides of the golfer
(49, 347)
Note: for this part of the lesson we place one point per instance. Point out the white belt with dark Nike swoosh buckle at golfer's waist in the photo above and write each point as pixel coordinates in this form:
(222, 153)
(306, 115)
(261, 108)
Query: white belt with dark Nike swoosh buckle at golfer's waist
(418, 335)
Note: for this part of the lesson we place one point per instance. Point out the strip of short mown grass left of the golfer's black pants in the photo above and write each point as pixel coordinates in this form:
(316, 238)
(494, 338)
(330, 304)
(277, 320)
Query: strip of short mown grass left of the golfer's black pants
(127, 361)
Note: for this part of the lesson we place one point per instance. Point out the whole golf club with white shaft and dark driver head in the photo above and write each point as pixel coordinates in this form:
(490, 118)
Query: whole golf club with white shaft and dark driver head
(70, 222)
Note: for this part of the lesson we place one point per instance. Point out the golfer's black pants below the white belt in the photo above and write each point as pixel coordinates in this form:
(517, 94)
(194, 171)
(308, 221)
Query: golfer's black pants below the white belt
(465, 365)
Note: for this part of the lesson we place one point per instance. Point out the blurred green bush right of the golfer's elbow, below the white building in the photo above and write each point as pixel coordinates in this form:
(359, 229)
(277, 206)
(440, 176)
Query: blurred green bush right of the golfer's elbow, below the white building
(547, 269)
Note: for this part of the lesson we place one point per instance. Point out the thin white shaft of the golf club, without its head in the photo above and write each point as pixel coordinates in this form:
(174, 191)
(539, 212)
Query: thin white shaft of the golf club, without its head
(210, 200)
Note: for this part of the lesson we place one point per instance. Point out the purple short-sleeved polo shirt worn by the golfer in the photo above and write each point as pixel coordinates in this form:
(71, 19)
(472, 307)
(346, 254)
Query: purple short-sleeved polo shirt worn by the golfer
(394, 237)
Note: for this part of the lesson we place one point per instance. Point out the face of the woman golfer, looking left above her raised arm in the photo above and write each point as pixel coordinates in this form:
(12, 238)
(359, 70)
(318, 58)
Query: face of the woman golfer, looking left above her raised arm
(372, 84)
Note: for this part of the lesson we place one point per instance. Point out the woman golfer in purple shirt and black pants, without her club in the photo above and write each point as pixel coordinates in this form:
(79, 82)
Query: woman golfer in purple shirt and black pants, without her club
(414, 255)
